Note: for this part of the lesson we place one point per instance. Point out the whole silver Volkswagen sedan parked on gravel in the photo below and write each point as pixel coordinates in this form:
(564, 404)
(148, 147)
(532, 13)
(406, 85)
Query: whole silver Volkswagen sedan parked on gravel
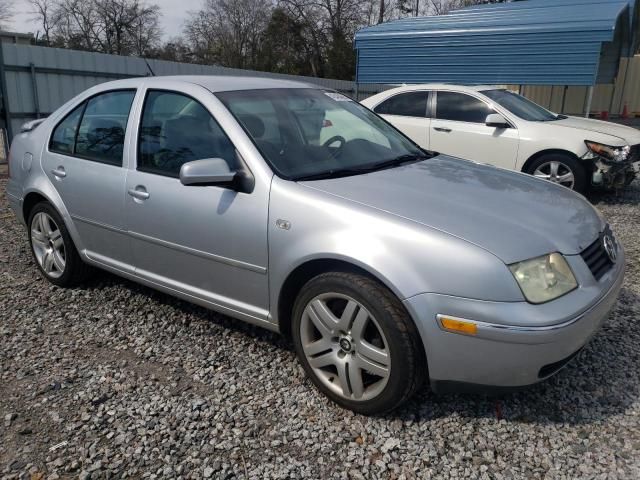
(297, 209)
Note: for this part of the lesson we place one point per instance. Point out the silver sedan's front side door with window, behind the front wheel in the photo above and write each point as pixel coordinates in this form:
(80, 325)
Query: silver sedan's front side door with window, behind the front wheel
(207, 242)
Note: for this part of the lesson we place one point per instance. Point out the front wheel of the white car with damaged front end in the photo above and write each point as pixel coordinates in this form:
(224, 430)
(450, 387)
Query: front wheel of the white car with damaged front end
(561, 169)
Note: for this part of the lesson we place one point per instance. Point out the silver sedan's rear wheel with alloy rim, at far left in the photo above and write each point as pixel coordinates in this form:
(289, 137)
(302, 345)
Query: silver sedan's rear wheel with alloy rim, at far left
(53, 249)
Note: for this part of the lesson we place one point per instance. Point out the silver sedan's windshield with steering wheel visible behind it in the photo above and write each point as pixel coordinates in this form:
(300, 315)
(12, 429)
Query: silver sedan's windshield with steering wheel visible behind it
(307, 133)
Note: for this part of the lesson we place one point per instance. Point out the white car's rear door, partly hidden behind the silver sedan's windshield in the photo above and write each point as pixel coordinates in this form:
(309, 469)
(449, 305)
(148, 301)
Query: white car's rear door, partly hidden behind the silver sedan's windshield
(407, 112)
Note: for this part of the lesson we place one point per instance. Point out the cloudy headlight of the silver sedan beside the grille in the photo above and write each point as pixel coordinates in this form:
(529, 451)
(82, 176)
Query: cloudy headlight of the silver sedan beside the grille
(544, 278)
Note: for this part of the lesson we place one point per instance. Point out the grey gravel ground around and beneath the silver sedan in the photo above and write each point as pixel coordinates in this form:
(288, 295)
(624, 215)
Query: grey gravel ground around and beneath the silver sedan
(115, 380)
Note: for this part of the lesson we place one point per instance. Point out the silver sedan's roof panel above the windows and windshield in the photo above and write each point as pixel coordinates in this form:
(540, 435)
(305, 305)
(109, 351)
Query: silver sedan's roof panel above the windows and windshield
(213, 83)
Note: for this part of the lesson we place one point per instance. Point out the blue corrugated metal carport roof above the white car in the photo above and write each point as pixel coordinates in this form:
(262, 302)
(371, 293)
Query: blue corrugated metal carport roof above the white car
(535, 42)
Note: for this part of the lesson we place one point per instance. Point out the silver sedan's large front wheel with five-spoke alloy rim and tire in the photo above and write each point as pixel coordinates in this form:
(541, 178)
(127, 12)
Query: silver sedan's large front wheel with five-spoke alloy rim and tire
(357, 343)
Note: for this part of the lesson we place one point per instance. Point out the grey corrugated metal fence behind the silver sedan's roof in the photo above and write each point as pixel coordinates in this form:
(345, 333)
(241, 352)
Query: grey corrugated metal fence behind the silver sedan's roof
(39, 79)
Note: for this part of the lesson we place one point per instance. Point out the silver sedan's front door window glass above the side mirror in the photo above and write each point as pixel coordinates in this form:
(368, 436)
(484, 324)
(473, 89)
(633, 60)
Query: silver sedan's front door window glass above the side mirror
(176, 129)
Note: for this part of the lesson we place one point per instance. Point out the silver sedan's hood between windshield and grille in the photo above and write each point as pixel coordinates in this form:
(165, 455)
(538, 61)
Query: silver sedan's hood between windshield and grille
(512, 215)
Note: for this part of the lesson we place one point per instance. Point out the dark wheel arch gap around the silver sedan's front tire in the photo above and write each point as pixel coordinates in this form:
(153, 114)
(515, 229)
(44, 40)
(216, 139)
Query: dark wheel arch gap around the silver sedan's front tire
(307, 270)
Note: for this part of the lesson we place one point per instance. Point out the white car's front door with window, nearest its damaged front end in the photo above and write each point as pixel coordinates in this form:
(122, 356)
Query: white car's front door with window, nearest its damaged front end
(459, 129)
